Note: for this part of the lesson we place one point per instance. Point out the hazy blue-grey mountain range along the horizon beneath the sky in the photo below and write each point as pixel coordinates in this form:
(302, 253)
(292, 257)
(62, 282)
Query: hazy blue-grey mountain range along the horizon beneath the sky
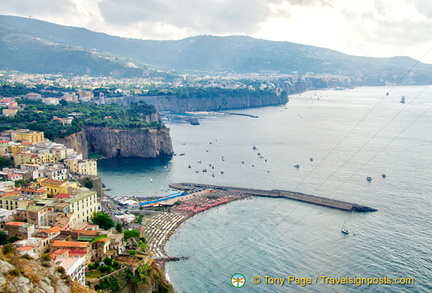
(237, 54)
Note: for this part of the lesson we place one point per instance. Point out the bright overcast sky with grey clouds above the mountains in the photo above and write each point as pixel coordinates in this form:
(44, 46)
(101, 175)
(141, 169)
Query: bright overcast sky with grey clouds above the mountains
(378, 28)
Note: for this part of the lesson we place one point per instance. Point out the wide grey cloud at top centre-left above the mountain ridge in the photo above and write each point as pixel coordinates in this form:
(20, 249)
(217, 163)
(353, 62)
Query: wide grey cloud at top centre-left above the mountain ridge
(211, 16)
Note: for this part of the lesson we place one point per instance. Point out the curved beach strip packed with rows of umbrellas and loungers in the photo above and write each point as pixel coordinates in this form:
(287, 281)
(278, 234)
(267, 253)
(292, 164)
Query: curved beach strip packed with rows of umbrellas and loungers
(160, 227)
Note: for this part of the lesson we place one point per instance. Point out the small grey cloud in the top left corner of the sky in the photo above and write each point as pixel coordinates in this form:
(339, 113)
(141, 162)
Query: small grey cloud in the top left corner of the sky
(38, 8)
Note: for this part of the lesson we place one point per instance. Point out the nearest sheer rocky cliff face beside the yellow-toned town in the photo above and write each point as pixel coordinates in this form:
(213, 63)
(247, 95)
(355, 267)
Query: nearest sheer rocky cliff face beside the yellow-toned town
(116, 143)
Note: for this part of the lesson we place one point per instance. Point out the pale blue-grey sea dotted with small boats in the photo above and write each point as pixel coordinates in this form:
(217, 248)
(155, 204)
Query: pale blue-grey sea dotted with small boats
(338, 138)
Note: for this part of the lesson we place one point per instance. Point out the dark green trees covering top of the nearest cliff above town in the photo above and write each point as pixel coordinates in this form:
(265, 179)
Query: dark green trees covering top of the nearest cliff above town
(41, 117)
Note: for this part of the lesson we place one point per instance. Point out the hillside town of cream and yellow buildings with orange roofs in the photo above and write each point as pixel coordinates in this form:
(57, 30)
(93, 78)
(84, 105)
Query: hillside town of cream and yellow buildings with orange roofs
(47, 207)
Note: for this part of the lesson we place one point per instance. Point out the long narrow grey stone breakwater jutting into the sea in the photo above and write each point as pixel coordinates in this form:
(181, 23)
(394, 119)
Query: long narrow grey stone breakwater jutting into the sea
(317, 200)
